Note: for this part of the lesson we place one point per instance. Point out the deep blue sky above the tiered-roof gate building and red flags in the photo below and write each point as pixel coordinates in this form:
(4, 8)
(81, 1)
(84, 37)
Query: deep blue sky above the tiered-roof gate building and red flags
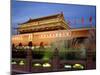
(22, 11)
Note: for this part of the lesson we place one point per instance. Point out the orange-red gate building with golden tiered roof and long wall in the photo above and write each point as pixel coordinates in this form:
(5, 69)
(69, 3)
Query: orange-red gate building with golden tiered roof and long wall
(48, 30)
